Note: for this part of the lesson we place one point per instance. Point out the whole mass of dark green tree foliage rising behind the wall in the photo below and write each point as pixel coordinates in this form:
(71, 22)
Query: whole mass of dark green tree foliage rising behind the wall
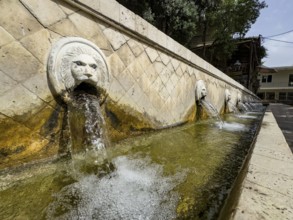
(201, 21)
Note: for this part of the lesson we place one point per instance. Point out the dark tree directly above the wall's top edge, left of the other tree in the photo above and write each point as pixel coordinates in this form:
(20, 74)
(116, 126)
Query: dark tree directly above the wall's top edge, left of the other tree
(176, 18)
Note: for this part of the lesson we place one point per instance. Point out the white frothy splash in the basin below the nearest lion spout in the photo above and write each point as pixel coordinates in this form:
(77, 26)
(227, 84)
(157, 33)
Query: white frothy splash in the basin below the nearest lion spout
(136, 190)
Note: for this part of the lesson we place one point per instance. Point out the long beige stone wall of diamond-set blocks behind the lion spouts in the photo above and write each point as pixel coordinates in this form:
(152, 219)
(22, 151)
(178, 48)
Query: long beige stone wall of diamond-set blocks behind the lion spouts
(151, 75)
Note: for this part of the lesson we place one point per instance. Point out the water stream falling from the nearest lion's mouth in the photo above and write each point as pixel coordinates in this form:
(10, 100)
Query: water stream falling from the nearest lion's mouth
(89, 141)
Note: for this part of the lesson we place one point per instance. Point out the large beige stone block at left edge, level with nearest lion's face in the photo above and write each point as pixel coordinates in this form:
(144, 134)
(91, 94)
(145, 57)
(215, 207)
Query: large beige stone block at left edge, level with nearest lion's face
(17, 62)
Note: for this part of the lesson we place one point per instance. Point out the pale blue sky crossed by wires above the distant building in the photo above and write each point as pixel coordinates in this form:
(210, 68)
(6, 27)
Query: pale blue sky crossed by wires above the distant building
(275, 19)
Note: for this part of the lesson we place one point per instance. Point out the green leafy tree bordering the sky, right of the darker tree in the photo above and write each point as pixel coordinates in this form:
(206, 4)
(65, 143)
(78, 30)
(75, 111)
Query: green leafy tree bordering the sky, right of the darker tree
(225, 21)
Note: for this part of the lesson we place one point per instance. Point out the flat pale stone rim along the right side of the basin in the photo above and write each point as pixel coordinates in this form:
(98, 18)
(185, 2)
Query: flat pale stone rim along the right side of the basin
(267, 190)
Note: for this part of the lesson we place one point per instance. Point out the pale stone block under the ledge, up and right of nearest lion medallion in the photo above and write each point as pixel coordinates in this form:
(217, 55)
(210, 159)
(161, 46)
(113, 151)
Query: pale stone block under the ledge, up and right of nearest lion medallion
(85, 24)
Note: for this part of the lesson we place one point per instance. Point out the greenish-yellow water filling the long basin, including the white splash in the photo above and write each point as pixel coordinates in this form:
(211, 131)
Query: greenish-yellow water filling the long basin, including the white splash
(180, 173)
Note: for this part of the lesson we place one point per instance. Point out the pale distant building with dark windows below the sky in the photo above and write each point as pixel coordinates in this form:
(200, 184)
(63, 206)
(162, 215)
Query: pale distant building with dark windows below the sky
(276, 84)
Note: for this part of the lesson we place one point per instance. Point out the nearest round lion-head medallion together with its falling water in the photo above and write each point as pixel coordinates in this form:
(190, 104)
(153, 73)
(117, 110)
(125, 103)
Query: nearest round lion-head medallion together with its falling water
(78, 75)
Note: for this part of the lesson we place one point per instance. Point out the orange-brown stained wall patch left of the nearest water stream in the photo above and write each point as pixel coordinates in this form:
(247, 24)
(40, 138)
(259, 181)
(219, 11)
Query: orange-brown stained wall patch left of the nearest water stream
(35, 139)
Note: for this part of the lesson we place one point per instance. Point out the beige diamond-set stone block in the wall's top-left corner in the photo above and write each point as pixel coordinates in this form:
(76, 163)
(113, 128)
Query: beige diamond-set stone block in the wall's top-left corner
(16, 20)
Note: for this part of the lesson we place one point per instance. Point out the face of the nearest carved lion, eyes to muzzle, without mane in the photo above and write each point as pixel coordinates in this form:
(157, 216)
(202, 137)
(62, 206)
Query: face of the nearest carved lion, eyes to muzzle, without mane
(84, 69)
